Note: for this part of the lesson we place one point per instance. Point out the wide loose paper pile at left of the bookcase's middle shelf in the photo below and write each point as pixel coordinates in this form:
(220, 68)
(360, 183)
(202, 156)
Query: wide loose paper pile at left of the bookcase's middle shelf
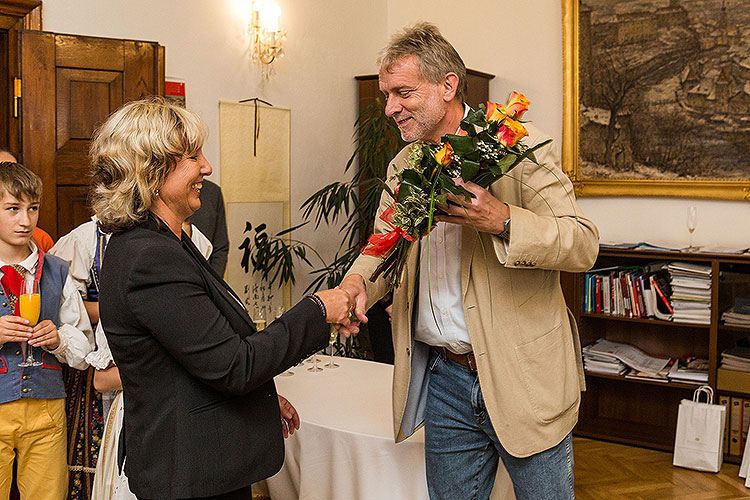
(606, 356)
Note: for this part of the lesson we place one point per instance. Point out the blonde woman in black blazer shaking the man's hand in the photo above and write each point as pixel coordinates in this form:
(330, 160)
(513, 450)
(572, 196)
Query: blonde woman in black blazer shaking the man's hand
(201, 412)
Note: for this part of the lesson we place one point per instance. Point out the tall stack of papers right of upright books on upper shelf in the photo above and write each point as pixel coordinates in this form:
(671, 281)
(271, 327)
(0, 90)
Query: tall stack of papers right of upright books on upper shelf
(691, 292)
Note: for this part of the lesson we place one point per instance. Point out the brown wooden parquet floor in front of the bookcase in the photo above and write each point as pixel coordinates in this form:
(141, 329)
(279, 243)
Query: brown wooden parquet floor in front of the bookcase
(607, 471)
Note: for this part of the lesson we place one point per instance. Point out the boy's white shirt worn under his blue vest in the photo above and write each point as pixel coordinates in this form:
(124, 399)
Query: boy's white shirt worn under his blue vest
(74, 329)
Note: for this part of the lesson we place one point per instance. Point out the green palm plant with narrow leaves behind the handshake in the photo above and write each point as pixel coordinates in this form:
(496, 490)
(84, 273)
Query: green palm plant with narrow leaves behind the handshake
(351, 205)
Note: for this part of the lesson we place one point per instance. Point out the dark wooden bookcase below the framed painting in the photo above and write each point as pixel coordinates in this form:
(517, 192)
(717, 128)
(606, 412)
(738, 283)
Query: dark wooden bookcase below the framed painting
(644, 412)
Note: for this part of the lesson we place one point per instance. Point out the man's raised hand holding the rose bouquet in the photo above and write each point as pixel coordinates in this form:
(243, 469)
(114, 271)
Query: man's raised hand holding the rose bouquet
(484, 212)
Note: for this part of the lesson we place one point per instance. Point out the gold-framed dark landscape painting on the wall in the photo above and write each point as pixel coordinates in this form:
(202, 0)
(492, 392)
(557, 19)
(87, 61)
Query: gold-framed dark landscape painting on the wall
(657, 97)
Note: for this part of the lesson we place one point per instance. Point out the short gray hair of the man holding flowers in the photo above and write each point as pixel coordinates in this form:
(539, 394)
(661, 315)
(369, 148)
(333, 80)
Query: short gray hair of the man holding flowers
(436, 55)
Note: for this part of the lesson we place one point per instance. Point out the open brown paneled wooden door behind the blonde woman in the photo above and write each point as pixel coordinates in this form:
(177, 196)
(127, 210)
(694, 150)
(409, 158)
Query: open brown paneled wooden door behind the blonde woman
(70, 84)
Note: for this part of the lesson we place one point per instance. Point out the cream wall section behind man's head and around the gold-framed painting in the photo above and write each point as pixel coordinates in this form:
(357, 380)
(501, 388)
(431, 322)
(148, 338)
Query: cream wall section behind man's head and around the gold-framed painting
(521, 43)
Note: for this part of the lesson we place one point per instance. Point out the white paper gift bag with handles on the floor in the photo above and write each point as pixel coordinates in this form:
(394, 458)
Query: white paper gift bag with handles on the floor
(700, 433)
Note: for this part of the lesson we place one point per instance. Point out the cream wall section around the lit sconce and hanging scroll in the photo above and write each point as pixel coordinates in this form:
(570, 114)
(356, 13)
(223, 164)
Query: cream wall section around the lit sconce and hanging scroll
(328, 43)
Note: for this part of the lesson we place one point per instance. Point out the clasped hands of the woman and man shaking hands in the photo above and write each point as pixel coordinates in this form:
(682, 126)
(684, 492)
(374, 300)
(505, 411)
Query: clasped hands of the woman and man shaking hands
(346, 305)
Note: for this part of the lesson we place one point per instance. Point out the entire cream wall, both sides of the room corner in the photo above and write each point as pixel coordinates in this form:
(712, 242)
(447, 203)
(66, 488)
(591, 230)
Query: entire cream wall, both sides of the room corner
(330, 42)
